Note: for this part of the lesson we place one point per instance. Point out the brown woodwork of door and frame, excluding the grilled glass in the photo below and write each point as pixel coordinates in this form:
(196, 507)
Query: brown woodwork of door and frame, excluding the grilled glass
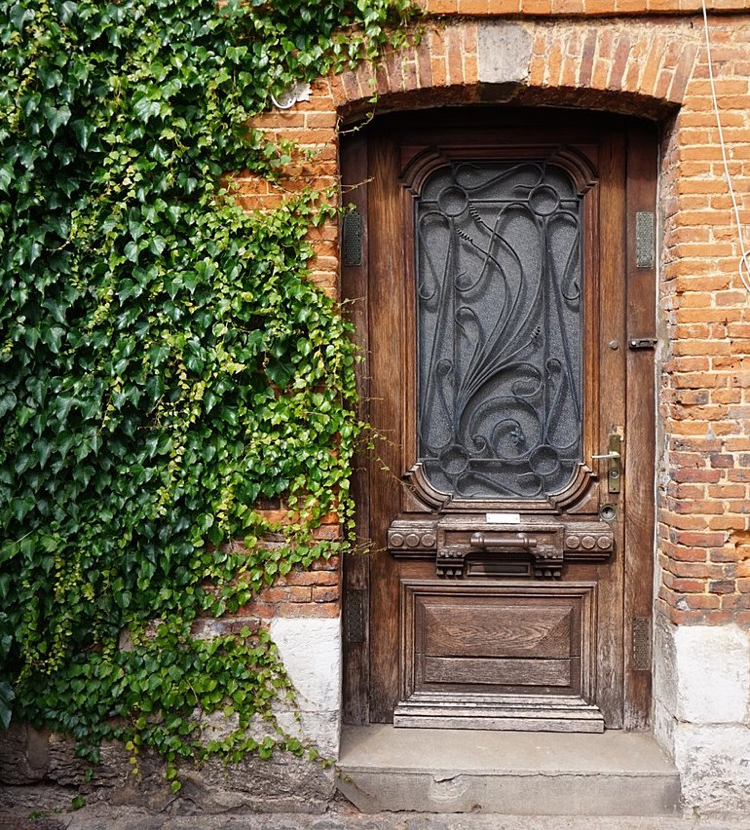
(553, 570)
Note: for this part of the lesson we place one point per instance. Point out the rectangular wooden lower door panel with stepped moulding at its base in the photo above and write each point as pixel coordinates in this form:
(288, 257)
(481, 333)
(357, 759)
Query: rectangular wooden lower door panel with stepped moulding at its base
(495, 645)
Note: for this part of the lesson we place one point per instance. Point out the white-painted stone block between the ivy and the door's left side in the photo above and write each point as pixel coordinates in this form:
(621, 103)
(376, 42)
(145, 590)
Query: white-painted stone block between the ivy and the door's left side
(311, 652)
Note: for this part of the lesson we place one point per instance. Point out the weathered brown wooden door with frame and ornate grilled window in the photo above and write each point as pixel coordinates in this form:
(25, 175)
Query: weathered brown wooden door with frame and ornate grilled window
(500, 267)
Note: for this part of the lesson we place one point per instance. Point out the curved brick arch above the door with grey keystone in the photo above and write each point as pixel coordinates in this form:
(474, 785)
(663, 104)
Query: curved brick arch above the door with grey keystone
(634, 70)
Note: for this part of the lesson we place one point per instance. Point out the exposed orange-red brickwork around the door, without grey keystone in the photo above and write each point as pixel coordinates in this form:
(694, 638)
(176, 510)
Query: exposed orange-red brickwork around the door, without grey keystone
(644, 63)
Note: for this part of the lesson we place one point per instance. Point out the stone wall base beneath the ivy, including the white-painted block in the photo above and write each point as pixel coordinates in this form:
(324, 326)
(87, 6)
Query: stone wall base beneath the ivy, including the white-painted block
(39, 770)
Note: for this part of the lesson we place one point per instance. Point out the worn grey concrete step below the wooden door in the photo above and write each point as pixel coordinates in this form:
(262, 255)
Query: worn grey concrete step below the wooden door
(515, 773)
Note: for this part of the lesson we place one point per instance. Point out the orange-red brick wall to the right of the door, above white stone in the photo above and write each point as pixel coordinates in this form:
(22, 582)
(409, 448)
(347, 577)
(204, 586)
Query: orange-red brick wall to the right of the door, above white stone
(704, 543)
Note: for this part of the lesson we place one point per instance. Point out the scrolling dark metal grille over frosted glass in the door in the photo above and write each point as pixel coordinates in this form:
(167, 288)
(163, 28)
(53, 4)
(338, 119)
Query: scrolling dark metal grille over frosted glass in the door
(499, 321)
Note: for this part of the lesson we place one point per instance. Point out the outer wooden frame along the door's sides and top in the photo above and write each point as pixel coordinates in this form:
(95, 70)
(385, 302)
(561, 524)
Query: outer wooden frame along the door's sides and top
(639, 472)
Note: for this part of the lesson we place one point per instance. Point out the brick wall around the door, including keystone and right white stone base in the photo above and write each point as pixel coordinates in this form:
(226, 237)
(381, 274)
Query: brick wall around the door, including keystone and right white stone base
(643, 58)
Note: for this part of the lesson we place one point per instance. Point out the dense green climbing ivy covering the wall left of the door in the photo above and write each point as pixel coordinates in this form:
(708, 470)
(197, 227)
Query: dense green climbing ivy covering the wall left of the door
(164, 361)
